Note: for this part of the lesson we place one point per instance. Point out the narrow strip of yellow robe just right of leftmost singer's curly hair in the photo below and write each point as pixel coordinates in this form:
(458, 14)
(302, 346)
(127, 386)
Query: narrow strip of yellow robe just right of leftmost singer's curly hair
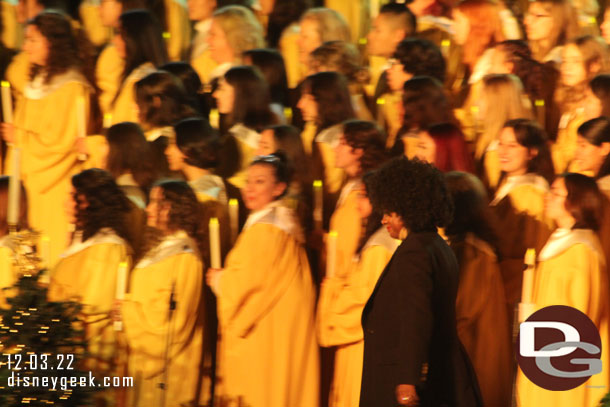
(108, 71)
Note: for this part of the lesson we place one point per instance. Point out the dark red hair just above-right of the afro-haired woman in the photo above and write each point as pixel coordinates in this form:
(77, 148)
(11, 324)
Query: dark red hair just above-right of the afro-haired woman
(451, 149)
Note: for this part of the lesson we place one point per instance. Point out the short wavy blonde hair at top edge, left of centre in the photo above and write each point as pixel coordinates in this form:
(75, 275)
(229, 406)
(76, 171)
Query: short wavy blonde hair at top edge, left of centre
(242, 29)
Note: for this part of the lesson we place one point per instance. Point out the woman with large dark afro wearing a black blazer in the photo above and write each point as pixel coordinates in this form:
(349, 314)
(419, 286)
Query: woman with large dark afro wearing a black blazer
(412, 355)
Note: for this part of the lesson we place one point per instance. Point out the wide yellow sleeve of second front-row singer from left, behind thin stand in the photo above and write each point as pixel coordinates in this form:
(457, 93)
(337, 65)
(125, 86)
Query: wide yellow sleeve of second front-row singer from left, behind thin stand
(145, 313)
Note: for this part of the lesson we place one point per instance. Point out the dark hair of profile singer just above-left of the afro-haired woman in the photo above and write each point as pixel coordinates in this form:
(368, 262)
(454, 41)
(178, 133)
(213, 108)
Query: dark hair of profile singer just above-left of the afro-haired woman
(368, 137)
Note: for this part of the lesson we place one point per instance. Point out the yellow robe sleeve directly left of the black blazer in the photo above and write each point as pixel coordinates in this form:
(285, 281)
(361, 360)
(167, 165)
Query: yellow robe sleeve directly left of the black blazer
(342, 299)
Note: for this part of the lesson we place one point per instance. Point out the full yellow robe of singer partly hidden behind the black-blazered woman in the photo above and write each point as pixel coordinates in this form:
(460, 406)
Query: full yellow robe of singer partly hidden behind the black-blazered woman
(340, 306)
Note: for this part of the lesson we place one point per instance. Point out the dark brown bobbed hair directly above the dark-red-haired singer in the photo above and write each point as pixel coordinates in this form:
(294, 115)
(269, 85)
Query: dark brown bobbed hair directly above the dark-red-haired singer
(425, 103)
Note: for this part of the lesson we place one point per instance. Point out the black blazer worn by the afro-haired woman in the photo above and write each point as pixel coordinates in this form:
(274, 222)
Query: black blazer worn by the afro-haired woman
(409, 326)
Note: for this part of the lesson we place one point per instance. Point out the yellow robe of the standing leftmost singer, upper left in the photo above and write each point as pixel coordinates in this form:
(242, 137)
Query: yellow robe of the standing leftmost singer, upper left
(46, 131)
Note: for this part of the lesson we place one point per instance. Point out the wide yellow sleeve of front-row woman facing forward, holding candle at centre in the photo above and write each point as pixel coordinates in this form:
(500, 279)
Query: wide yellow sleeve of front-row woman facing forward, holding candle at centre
(255, 276)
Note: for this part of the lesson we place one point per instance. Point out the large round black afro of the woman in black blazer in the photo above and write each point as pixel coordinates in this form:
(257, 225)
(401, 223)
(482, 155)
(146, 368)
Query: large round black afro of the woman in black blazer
(415, 191)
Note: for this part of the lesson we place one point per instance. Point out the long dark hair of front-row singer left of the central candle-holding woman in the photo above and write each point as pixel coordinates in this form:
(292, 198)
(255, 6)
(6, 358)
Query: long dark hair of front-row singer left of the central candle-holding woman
(185, 210)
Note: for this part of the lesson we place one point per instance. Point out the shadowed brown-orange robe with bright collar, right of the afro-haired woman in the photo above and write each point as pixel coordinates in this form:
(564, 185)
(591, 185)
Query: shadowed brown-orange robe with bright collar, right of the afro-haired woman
(519, 208)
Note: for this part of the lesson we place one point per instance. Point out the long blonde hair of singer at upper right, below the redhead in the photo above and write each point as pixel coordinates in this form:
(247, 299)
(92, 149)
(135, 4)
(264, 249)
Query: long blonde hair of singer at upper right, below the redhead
(505, 100)
